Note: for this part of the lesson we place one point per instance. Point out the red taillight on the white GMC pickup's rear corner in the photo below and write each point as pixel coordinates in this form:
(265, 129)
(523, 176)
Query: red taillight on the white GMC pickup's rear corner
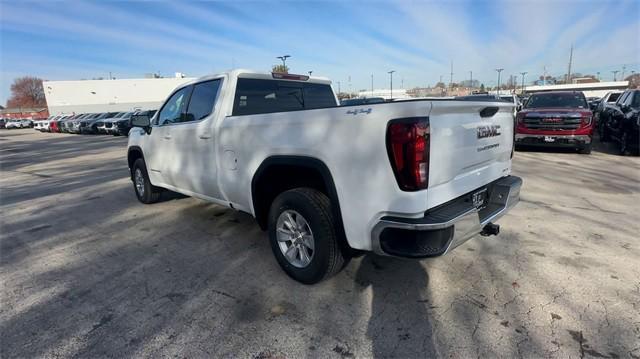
(408, 148)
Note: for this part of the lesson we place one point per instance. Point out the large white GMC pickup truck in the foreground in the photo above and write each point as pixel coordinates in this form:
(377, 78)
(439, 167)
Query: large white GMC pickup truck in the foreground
(411, 178)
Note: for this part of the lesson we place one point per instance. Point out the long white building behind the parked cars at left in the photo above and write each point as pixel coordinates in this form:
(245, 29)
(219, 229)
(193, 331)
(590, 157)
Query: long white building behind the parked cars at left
(64, 97)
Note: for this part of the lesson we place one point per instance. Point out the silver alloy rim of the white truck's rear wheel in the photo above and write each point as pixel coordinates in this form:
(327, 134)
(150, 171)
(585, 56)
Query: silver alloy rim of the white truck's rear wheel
(295, 238)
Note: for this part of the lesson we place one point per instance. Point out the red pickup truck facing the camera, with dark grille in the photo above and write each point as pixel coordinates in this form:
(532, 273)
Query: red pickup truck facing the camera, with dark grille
(556, 119)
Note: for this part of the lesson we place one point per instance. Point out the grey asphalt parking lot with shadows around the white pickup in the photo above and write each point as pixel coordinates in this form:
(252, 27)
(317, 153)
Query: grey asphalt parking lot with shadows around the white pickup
(88, 271)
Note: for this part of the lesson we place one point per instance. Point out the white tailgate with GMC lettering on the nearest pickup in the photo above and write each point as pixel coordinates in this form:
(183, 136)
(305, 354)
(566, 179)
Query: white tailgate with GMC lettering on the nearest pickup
(470, 146)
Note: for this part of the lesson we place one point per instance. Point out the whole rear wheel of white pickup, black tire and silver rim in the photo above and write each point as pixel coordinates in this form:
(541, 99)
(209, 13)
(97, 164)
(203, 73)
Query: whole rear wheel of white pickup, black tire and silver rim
(303, 235)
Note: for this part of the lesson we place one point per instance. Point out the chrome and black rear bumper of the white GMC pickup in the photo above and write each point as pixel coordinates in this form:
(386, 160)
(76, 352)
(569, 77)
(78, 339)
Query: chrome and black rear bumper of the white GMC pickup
(447, 226)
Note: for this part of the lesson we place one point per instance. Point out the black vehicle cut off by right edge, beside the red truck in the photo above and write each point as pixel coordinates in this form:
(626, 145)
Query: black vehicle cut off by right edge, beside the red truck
(620, 122)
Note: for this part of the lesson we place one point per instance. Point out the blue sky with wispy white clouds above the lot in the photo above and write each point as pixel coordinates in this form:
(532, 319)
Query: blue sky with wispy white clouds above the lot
(341, 40)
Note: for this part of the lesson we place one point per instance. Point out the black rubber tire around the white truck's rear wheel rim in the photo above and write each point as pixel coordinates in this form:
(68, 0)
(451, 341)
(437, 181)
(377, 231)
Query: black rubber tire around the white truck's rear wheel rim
(314, 206)
